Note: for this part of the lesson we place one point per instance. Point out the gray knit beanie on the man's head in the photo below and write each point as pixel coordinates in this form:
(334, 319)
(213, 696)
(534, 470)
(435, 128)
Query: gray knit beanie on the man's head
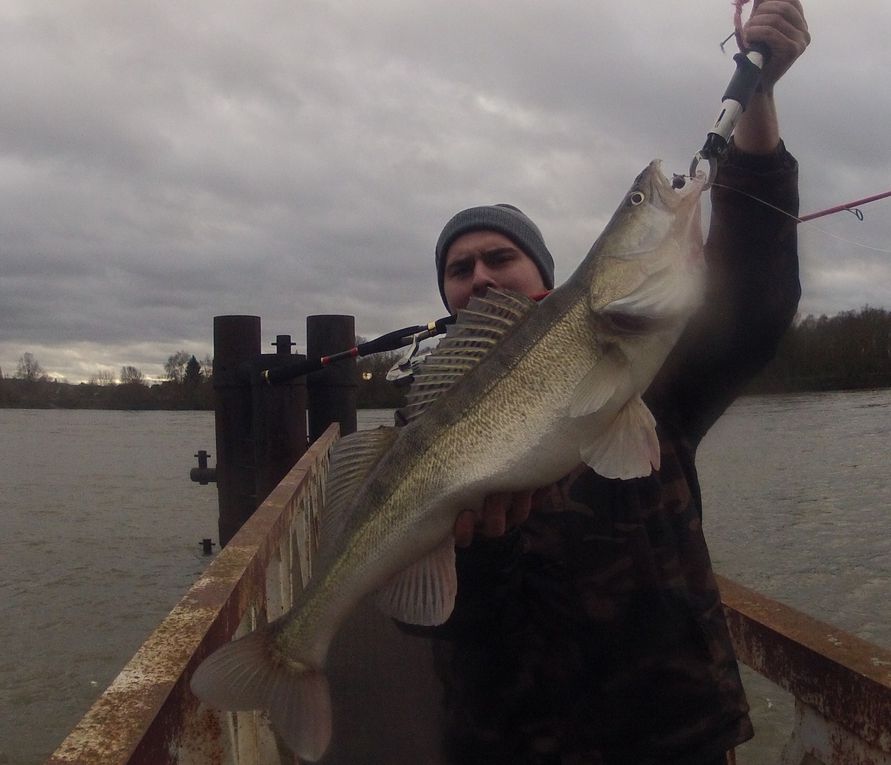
(503, 219)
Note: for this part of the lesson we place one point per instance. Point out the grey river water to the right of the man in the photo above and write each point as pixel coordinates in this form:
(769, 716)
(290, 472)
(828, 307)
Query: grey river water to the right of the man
(797, 502)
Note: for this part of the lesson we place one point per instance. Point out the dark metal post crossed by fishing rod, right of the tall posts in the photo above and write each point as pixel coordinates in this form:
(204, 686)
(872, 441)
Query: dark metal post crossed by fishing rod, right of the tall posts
(331, 392)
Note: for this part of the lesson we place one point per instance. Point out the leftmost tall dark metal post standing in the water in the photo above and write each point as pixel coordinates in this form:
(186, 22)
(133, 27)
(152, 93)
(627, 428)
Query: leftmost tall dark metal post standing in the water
(236, 342)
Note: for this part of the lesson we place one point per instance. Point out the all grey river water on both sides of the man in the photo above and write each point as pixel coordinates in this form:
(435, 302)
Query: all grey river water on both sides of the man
(101, 532)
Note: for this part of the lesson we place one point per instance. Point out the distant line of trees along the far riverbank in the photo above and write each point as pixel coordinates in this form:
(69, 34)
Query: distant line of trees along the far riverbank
(850, 350)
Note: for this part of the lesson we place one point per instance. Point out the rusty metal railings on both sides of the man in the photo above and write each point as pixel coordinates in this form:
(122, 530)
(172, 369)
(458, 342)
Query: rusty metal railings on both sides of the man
(842, 685)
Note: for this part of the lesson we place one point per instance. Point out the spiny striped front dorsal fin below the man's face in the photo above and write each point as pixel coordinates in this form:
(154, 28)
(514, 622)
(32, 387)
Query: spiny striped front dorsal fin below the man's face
(477, 331)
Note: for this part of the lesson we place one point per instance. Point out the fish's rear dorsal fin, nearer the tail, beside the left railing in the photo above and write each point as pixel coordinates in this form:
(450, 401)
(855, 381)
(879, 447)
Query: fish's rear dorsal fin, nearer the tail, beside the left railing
(352, 459)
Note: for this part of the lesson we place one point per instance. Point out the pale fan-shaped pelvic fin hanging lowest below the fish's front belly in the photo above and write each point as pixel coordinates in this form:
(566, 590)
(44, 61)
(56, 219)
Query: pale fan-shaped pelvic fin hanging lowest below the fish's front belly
(629, 447)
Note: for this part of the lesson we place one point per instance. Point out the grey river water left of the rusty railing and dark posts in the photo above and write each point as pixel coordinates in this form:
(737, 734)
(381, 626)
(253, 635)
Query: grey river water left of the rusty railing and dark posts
(99, 538)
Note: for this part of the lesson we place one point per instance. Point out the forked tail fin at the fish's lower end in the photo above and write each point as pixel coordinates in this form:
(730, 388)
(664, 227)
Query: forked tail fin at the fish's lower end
(246, 674)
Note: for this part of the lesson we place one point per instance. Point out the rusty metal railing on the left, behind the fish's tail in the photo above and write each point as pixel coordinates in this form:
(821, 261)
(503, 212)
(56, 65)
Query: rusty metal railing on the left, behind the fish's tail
(148, 716)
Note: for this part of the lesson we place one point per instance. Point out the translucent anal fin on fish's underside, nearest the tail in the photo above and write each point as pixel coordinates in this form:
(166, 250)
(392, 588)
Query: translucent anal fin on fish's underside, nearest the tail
(425, 592)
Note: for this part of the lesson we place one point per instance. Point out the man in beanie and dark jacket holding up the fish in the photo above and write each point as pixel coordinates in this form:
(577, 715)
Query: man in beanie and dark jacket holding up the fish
(590, 630)
